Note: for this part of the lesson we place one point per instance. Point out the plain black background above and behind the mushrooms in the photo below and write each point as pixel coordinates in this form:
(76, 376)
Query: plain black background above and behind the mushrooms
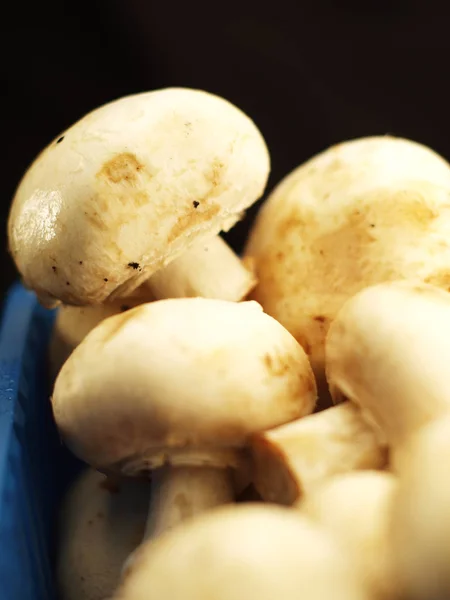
(309, 73)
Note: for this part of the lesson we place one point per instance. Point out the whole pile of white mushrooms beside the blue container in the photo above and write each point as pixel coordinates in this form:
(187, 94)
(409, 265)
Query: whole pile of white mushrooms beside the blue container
(203, 389)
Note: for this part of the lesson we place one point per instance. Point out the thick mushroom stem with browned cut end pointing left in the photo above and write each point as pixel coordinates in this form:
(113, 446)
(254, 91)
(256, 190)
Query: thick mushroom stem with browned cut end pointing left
(291, 460)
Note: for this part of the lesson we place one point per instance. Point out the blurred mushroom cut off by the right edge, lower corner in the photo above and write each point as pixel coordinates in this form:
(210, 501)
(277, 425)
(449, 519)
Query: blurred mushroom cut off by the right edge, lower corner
(421, 515)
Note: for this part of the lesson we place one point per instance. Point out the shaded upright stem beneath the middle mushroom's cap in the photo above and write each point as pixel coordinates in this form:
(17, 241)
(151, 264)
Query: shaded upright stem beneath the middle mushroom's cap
(179, 493)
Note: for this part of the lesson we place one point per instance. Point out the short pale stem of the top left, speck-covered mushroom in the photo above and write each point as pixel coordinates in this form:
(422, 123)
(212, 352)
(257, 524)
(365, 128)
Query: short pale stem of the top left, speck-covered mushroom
(209, 269)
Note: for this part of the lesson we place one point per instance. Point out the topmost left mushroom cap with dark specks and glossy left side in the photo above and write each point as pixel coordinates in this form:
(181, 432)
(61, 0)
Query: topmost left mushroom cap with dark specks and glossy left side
(128, 188)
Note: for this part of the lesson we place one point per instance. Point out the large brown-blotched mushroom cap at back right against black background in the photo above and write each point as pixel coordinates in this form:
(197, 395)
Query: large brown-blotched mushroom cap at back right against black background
(363, 212)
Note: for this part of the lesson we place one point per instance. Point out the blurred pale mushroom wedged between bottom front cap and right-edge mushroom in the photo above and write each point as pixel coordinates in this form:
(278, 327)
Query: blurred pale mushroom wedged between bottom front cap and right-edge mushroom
(356, 509)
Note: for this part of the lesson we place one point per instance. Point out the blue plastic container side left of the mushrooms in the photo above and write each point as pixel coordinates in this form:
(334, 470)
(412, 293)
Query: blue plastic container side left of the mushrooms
(34, 466)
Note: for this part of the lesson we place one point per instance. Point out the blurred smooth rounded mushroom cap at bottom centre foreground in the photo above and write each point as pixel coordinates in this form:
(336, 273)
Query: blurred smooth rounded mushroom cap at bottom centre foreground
(251, 552)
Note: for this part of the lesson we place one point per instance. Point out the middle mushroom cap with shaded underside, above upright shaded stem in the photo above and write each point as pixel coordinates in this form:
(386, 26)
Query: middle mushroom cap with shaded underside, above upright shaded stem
(180, 381)
